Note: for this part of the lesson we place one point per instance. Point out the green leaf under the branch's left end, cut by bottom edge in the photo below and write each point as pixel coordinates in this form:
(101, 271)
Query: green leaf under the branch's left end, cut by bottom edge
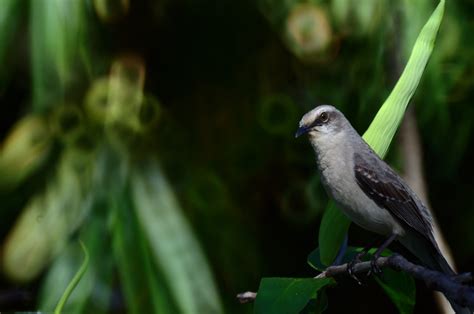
(287, 295)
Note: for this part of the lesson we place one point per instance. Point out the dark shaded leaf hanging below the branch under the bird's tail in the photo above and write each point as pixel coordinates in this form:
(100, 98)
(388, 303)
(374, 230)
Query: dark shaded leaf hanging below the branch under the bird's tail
(400, 287)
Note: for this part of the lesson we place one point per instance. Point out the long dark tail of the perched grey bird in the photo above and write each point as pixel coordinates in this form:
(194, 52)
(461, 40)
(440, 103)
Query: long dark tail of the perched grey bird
(430, 256)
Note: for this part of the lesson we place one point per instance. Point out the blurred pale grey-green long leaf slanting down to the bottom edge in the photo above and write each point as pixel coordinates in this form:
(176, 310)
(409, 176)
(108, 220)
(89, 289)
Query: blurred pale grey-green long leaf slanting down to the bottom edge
(173, 244)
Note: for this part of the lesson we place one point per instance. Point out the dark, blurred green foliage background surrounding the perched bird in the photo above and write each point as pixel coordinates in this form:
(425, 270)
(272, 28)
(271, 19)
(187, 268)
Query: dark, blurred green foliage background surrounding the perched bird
(160, 133)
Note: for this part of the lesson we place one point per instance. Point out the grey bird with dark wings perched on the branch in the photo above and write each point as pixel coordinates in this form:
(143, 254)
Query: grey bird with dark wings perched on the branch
(368, 191)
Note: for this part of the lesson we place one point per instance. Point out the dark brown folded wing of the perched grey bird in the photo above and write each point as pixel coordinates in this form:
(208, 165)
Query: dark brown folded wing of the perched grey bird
(381, 184)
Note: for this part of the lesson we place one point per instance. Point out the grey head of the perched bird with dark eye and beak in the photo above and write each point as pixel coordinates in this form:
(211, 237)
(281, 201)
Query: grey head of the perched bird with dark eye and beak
(322, 121)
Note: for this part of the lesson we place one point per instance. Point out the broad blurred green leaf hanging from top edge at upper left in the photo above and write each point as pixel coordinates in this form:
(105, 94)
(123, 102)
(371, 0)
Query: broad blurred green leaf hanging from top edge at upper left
(57, 39)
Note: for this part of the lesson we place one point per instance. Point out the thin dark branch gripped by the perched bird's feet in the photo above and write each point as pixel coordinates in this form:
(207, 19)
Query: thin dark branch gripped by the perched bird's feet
(453, 287)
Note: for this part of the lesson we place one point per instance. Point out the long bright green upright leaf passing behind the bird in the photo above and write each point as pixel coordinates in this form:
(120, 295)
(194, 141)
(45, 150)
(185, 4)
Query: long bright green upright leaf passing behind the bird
(383, 127)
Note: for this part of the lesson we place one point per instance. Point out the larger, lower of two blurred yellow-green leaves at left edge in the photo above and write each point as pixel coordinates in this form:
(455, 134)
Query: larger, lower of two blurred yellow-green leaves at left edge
(50, 217)
